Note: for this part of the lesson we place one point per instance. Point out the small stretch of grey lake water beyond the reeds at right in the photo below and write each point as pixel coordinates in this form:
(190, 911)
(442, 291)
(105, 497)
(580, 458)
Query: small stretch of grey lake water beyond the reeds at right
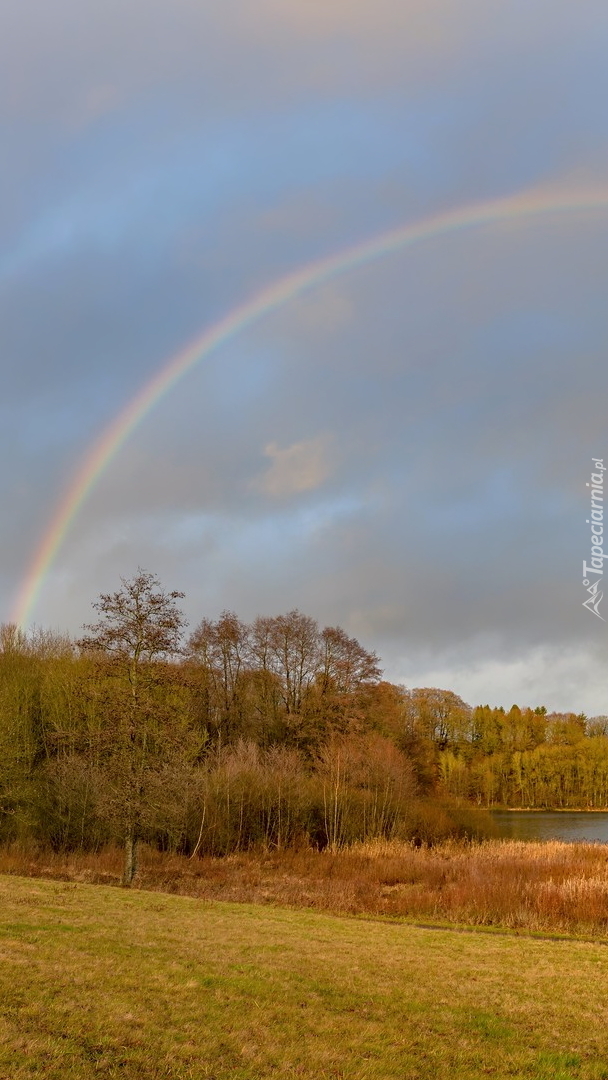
(572, 826)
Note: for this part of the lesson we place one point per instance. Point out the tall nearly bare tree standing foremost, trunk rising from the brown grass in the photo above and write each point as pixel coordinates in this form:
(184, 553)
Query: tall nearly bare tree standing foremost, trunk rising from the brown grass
(139, 629)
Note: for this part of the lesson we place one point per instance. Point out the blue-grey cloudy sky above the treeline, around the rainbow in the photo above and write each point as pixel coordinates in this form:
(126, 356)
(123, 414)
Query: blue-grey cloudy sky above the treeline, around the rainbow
(402, 451)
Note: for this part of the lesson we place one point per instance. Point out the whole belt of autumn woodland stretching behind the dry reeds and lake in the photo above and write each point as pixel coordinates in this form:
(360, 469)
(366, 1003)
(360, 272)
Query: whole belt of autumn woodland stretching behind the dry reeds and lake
(277, 733)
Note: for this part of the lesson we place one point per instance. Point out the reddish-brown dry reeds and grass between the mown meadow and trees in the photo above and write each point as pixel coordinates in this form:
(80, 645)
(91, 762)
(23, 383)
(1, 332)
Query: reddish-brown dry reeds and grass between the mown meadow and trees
(543, 887)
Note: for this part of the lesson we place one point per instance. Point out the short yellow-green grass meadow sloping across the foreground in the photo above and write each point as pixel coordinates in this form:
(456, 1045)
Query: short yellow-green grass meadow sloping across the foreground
(97, 982)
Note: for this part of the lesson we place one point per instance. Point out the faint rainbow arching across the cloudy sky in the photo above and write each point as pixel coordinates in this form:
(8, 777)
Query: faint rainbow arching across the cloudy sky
(531, 204)
